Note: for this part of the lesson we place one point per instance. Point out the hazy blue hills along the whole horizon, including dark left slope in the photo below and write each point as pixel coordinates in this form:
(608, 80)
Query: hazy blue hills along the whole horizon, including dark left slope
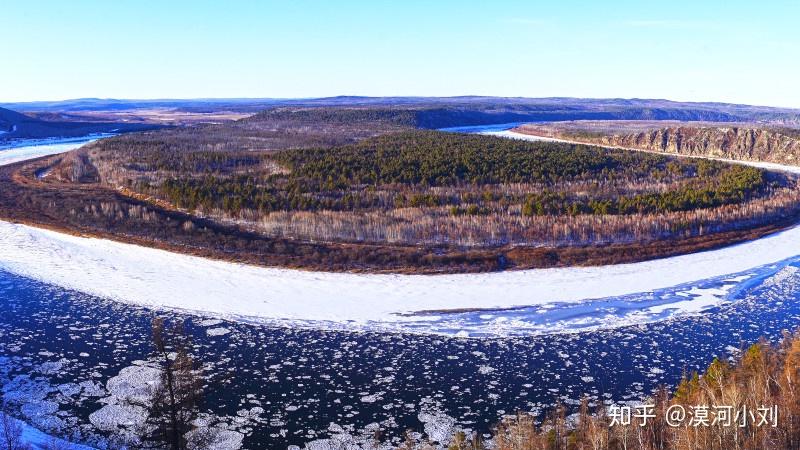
(83, 116)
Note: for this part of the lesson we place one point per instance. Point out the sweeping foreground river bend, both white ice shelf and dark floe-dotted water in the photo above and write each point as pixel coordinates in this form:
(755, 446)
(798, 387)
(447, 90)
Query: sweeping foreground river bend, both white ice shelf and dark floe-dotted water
(290, 380)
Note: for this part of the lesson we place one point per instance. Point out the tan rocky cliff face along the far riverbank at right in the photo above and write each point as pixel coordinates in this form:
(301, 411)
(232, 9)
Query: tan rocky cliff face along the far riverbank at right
(739, 143)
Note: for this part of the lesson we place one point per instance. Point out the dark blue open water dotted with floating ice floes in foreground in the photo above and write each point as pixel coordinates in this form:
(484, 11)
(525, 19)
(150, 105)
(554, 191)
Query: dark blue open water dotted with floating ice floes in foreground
(277, 386)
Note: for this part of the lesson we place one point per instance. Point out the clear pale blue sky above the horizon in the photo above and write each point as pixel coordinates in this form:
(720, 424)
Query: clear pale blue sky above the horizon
(732, 51)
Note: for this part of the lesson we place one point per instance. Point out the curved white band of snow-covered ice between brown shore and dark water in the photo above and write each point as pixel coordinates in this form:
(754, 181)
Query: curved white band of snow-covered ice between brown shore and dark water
(159, 279)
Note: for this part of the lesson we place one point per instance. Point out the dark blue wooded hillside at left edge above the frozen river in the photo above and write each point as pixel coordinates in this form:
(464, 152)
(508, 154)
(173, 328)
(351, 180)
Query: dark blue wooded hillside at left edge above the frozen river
(14, 125)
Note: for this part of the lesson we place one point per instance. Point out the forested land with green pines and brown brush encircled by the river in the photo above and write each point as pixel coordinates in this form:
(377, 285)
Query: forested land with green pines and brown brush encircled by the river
(365, 189)
